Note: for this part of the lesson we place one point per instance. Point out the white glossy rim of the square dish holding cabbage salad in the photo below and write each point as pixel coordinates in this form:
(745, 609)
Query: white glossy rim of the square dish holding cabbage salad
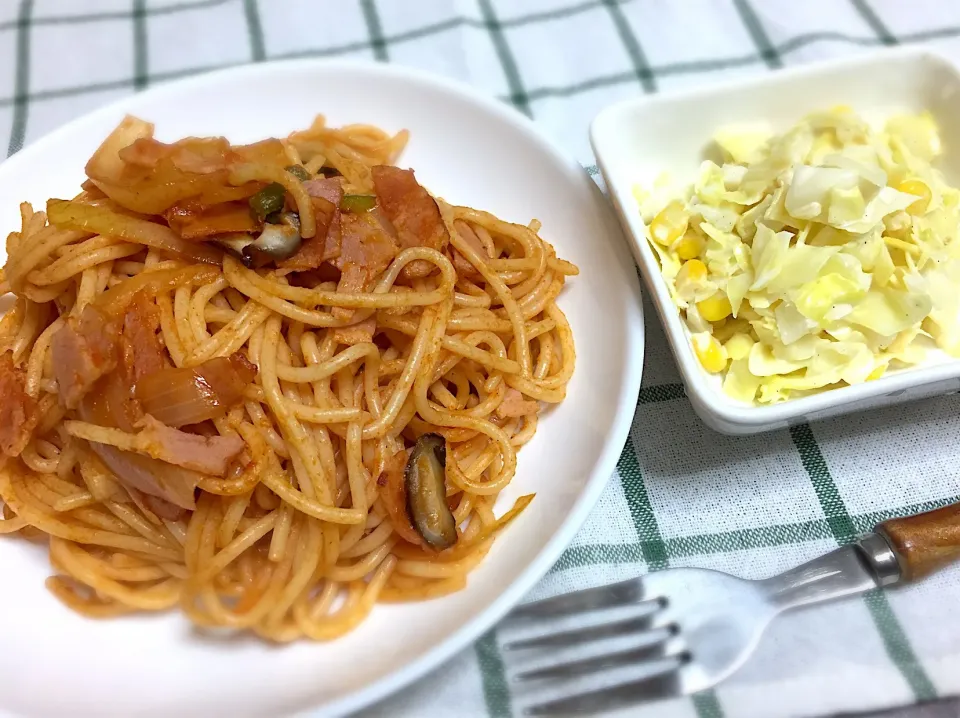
(705, 397)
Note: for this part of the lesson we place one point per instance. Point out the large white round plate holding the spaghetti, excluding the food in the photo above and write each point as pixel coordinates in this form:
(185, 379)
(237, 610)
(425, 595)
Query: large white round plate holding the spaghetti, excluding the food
(471, 151)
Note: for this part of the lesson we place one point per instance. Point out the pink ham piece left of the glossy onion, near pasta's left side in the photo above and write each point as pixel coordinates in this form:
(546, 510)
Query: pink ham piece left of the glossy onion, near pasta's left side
(83, 351)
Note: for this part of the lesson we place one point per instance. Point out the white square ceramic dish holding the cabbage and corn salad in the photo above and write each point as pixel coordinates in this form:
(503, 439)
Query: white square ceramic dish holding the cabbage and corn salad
(636, 140)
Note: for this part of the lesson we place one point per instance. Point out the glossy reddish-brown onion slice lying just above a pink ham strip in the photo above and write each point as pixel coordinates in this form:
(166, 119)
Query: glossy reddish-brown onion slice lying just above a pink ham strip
(190, 395)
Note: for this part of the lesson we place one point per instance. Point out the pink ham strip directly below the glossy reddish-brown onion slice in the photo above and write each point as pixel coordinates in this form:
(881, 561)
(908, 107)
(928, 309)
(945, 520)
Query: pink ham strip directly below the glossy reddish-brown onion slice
(208, 455)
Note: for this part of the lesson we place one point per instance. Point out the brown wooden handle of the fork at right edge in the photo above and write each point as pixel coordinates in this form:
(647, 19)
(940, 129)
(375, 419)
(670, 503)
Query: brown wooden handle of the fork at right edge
(924, 543)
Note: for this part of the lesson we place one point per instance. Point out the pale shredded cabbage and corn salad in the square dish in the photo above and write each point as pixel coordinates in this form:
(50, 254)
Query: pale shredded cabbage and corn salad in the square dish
(834, 248)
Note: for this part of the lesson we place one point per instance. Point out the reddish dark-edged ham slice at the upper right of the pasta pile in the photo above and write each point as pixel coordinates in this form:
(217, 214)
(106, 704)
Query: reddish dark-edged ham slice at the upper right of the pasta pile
(412, 211)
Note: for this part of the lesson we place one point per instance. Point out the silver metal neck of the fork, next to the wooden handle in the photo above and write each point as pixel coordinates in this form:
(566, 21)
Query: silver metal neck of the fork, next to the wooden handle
(842, 572)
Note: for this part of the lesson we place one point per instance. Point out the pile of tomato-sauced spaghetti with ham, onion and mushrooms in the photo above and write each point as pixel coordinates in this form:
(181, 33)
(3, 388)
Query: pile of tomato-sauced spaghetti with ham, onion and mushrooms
(271, 384)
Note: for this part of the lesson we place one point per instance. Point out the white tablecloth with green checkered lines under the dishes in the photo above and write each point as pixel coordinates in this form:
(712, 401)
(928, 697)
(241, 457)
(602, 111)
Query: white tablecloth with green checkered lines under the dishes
(682, 495)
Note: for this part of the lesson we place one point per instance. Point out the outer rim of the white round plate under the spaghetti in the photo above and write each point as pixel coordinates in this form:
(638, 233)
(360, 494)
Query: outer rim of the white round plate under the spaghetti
(621, 424)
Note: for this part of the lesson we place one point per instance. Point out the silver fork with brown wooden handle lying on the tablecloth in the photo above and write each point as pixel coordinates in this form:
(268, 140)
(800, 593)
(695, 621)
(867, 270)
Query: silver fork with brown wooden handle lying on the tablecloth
(688, 629)
